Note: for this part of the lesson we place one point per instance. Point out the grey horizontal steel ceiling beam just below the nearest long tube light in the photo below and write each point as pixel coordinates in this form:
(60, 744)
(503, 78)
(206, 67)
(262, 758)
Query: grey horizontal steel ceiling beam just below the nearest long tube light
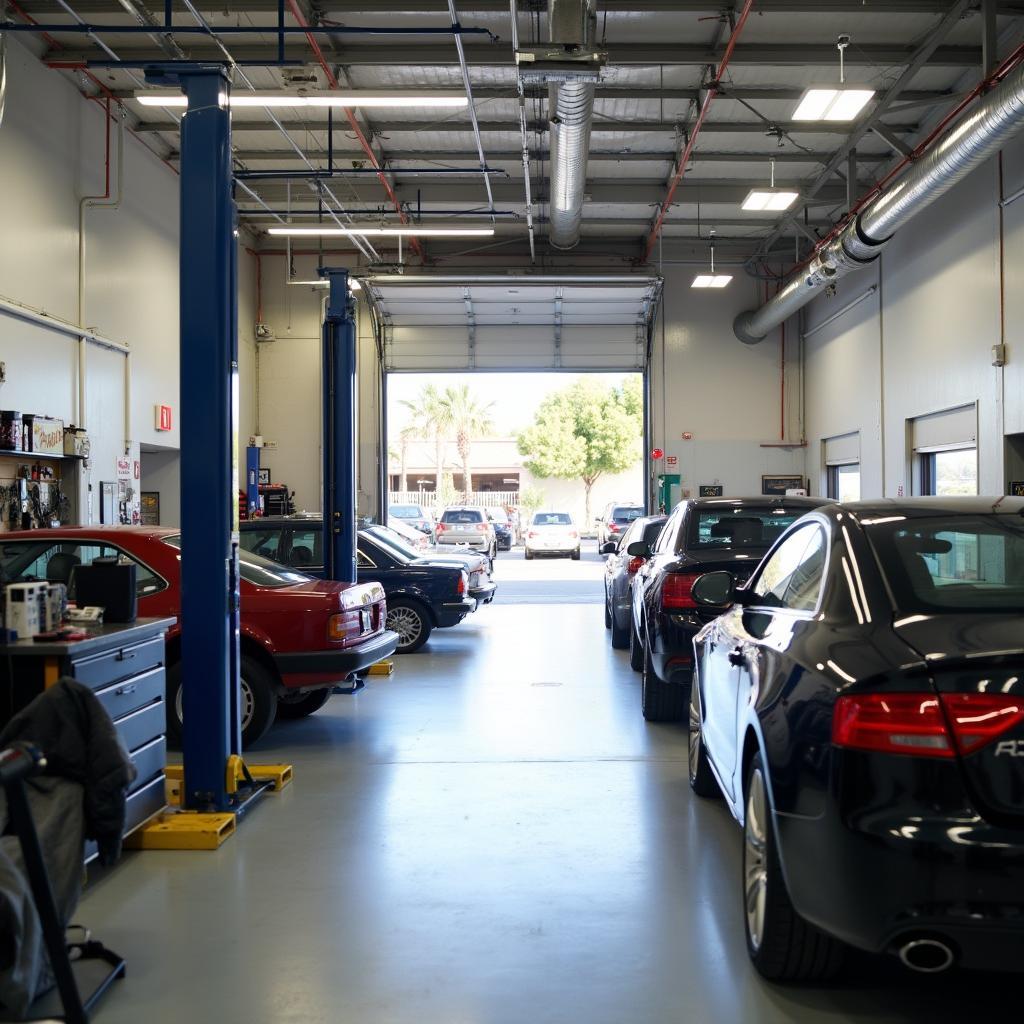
(601, 127)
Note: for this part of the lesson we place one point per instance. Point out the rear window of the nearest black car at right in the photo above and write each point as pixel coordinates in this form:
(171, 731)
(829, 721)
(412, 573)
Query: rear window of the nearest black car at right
(953, 564)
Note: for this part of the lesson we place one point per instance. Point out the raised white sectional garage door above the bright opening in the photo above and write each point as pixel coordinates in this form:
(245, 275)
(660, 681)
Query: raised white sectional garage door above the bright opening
(516, 323)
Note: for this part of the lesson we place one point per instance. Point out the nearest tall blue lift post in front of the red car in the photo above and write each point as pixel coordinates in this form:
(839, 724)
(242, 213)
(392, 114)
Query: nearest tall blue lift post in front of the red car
(209, 444)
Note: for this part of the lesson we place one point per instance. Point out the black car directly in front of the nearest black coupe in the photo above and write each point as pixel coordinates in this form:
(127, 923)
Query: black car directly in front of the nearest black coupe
(702, 535)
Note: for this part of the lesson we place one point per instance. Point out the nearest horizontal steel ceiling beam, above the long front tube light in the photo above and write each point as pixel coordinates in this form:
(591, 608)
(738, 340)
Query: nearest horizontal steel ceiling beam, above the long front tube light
(498, 56)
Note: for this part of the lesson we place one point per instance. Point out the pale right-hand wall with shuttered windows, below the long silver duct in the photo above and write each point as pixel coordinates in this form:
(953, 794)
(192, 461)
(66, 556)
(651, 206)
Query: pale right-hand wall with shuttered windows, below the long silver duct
(923, 343)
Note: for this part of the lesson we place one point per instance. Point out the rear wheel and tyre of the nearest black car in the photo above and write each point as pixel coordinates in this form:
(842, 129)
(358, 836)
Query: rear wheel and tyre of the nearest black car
(782, 946)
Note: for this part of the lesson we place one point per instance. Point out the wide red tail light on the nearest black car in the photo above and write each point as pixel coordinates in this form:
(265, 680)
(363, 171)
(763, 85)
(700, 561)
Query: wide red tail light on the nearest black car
(919, 723)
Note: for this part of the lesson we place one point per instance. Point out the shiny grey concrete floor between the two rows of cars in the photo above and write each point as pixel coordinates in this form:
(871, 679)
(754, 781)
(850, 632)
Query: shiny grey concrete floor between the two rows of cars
(493, 836)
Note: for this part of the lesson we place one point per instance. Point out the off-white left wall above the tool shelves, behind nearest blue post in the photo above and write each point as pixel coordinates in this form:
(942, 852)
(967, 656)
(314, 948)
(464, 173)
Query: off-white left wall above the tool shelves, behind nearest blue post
(52, 155)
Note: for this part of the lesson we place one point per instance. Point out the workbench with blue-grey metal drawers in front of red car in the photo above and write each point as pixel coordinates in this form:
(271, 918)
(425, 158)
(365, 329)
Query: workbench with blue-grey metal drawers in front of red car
(124, 666)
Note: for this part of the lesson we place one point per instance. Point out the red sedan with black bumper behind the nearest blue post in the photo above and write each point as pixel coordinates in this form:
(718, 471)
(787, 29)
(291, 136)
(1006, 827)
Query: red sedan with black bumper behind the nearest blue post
(300, 636)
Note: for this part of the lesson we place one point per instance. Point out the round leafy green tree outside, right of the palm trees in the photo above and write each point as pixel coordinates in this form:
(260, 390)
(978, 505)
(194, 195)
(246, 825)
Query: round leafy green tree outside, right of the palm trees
(584, 433)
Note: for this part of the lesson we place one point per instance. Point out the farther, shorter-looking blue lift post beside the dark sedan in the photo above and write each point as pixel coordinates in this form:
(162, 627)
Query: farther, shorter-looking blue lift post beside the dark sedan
(339, 431)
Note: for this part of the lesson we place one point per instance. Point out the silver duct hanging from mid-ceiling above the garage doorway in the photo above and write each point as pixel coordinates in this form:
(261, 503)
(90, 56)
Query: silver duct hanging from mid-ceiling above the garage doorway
(571, 111)
